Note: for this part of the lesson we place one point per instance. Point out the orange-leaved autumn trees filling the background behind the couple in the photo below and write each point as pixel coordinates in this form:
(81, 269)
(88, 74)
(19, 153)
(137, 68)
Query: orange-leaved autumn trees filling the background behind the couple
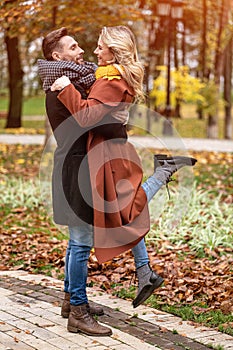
(201, 40)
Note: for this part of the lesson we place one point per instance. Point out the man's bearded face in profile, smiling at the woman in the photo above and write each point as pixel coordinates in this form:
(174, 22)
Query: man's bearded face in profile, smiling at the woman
(70, 51)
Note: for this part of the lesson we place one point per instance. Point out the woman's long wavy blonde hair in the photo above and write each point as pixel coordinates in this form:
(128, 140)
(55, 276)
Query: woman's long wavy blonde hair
(121, 41)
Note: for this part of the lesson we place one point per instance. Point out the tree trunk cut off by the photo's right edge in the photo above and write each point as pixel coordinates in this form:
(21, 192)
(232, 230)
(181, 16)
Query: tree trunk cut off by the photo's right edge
(227, 90)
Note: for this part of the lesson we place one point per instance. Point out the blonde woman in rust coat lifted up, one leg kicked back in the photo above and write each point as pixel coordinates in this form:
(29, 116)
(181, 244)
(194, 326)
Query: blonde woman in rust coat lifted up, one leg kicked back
(121, 217)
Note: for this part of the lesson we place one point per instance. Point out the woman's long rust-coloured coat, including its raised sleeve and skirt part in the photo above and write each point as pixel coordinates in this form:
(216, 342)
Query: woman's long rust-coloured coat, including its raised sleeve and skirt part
(121, 216)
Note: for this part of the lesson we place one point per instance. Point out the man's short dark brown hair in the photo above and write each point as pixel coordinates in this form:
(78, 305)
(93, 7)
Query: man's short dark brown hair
(52, 42)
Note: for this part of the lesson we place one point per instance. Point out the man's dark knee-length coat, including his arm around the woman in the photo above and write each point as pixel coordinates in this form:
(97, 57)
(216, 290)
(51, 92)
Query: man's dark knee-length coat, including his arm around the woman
(71, 187)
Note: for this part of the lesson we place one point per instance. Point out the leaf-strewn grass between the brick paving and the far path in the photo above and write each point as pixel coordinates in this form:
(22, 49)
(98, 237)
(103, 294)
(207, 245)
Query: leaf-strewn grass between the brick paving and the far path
(197, 268)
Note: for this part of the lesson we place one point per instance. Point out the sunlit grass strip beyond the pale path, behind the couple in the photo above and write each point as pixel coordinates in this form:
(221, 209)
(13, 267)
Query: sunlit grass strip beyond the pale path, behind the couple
(187, 126)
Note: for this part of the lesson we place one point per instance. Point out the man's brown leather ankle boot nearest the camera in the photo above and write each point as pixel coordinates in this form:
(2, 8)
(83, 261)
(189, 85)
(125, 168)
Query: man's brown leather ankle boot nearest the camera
(81, 321)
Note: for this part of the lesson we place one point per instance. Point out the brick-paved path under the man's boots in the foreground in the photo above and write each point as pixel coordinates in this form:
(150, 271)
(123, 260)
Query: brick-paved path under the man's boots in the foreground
(30, 319)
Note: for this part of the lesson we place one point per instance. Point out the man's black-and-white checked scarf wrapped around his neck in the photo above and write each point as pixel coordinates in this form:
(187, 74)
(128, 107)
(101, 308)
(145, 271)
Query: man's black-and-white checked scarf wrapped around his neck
(79, 74)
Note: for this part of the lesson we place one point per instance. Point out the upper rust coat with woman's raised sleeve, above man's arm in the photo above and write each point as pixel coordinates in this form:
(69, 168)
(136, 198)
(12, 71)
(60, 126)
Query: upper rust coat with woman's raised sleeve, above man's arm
(103, 98)
